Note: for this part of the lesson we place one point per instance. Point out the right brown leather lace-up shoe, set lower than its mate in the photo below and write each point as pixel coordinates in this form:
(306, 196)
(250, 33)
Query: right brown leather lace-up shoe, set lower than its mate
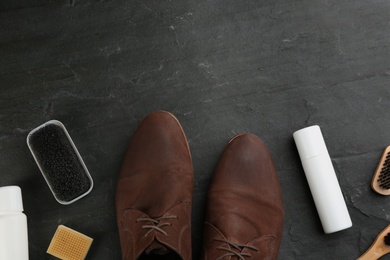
(244, 218)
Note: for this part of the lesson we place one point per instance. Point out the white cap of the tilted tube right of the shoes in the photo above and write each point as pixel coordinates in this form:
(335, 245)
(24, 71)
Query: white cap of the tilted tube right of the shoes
(310, 142)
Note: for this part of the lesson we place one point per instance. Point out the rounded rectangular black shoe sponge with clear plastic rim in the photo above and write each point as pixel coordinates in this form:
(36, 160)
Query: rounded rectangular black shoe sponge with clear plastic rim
(60, 162)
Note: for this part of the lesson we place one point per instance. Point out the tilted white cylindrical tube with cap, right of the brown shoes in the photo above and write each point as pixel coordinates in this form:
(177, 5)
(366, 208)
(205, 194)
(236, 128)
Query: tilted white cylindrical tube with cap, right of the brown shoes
(322, 179)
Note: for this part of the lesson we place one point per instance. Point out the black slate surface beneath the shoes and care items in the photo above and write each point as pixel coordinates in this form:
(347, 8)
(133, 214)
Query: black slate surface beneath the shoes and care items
(222, 67)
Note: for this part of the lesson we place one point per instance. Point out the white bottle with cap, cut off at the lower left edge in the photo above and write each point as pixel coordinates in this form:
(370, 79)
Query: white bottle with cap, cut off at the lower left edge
(13, 225)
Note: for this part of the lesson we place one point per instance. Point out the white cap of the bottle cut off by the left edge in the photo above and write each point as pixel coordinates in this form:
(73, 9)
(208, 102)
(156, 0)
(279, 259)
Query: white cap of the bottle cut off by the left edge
(11, 199)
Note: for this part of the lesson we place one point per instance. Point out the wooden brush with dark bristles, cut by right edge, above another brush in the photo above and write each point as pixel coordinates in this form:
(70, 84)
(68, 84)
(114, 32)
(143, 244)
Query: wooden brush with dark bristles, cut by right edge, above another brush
(381, 180)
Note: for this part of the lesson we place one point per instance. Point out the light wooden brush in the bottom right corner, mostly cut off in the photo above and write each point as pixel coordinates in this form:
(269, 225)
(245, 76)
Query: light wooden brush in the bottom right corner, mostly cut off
(380, 247)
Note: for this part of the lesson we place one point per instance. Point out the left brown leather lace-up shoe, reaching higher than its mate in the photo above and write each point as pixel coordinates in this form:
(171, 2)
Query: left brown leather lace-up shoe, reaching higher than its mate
(154, 191)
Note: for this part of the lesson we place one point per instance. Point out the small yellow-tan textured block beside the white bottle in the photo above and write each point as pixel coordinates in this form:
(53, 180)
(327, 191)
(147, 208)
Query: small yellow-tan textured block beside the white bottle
(69, 244)
